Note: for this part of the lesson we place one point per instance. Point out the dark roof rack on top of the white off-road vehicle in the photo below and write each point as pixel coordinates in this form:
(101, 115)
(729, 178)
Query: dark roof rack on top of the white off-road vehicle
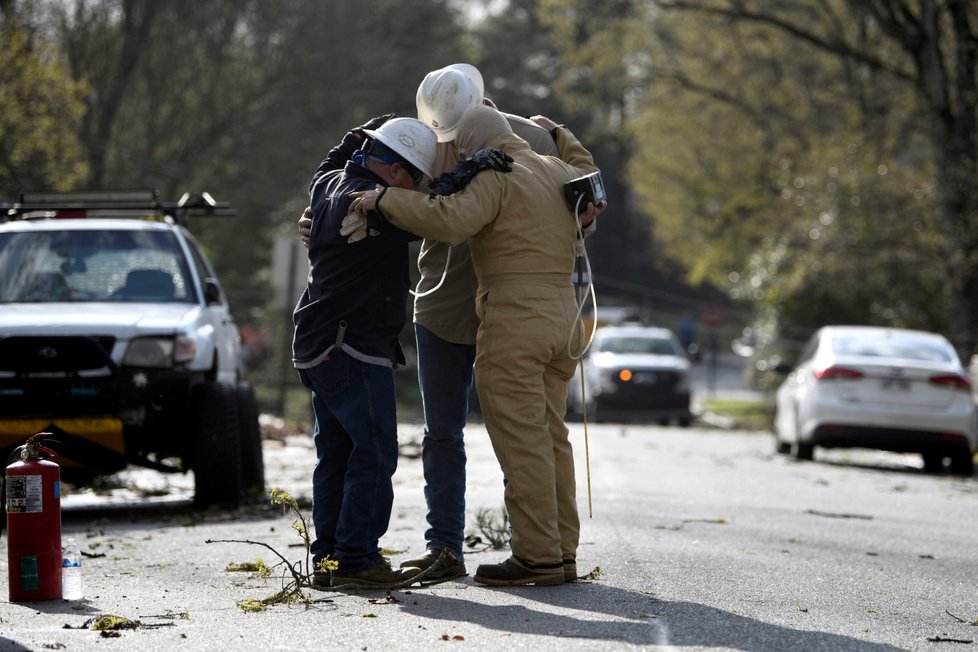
(131, 204)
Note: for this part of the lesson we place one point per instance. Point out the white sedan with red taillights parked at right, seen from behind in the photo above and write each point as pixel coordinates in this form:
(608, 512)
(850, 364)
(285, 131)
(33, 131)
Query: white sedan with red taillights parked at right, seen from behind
(881, 388)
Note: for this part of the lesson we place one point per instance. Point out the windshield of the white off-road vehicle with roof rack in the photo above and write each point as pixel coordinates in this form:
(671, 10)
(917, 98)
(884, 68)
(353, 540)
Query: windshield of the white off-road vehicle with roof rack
(81, 266)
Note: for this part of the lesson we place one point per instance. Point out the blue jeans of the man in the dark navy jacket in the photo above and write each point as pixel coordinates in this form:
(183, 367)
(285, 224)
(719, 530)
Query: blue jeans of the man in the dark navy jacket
(356, 455)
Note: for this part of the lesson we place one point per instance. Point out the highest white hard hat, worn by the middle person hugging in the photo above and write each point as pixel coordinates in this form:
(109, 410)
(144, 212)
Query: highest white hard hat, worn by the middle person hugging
(447, 93)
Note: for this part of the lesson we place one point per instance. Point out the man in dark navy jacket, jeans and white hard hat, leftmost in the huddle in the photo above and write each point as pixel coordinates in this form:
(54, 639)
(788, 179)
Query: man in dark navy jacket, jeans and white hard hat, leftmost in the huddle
(347, 323)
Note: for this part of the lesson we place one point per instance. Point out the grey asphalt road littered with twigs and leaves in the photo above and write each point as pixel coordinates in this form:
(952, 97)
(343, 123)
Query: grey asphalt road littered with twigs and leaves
(698, 539)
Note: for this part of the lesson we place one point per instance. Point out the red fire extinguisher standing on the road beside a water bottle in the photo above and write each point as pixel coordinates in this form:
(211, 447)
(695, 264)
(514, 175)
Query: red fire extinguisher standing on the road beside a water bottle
(33, 487)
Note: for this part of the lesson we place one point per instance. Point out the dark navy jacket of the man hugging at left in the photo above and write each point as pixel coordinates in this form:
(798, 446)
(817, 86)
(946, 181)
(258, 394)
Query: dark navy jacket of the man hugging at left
(364, 283)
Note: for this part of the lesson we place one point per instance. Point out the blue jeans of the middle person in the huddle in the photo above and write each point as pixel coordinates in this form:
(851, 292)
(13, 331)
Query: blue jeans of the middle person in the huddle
(445, 376)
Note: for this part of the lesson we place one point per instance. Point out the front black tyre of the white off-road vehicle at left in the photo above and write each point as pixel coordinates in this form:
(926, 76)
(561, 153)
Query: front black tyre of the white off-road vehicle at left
(216, 445)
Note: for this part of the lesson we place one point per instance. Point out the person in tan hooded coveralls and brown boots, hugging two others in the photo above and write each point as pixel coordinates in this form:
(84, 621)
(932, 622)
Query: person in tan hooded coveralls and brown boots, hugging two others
(522, 240)
